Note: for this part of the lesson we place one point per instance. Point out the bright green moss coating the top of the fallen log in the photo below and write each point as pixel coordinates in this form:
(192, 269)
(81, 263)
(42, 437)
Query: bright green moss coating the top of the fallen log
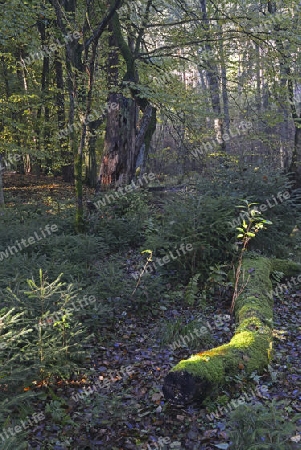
(249, 349)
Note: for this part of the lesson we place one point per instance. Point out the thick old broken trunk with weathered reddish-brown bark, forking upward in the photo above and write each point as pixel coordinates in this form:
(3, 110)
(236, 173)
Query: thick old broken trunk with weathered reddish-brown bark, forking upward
(127, 141)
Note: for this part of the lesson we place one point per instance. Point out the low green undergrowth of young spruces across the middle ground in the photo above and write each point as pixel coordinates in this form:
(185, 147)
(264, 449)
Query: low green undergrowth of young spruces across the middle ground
(45, 277)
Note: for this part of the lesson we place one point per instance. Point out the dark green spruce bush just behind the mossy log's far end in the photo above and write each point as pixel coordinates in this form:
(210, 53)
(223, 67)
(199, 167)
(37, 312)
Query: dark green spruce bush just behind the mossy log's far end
(197, 219)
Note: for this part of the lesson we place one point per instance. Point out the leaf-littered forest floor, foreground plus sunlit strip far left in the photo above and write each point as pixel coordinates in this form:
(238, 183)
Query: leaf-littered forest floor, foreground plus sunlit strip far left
(134, 353)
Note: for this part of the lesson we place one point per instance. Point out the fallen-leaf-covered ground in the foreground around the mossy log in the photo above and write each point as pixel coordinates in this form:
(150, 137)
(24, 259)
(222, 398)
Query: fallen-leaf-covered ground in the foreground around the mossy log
(131, 410)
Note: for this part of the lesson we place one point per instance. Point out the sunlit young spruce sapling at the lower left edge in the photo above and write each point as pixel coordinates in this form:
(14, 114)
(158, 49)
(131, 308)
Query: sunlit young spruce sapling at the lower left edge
(36, 347)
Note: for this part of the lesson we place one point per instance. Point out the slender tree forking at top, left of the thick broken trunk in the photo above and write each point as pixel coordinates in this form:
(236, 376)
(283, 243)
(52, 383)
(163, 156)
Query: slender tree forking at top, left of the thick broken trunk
(79, 59)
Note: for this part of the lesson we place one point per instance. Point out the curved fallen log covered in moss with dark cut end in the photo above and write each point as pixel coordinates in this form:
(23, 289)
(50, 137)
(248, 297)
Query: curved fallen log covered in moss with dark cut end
(249, 349)
